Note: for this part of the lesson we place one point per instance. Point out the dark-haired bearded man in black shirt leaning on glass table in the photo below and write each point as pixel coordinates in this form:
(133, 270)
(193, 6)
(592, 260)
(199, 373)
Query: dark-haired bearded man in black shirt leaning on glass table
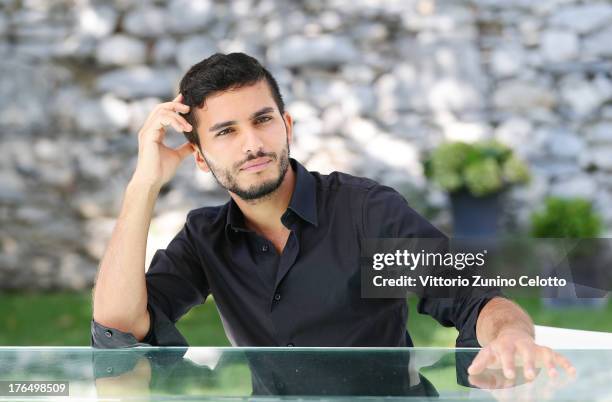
(281, 258)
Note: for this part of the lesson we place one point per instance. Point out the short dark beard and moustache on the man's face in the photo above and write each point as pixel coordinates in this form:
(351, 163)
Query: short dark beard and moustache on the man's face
(227, 177)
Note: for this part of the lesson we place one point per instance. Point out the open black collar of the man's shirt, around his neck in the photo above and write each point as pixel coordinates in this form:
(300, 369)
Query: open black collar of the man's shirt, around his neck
(303, 200)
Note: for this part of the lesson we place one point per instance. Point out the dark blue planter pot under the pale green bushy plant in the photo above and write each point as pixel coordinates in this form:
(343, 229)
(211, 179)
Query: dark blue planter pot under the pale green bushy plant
(475, 216)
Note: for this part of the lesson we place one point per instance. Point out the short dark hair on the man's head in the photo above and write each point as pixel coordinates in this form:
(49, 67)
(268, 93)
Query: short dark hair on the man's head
(221, 72)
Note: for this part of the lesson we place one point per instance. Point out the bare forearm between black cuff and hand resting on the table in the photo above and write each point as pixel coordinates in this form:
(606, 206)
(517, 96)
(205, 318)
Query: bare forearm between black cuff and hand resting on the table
(498, 315)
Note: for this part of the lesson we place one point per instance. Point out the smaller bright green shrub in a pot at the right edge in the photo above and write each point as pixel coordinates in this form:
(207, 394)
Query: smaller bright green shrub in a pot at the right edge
(573, 229)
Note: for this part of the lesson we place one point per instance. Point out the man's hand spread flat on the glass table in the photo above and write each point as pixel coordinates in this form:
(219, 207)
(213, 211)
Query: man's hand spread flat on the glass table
(517, 347)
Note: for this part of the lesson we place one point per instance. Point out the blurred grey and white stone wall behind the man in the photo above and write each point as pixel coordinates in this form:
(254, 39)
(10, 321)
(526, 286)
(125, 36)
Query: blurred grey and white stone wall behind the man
(371, 85)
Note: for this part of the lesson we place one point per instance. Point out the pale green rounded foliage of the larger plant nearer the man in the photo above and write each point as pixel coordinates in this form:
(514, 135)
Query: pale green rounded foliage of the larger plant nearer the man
(482, 168)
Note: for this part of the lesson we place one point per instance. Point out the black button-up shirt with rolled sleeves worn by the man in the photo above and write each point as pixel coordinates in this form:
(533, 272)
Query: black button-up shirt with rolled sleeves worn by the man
(308, 295)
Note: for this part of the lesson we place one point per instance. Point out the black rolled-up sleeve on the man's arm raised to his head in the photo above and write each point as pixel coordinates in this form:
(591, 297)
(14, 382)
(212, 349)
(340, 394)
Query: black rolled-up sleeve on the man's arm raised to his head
(176, 282)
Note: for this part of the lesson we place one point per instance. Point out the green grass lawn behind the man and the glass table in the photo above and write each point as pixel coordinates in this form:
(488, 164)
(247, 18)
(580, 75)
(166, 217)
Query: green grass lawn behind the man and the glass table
(62, 319)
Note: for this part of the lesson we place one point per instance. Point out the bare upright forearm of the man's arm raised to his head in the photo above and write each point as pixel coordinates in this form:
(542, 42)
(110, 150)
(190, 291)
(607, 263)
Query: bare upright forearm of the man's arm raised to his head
(120, 294)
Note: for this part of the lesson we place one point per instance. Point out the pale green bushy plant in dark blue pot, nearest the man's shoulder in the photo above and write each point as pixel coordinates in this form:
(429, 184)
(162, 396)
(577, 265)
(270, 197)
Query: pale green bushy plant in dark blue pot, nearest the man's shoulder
(475, 175)
